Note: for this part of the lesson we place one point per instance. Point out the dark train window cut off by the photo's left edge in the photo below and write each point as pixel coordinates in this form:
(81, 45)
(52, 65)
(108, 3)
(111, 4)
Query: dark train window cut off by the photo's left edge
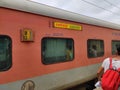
(5, 53)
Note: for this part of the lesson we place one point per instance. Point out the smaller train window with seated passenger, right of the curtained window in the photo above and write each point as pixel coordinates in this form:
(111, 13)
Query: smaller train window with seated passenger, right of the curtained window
(95, 48)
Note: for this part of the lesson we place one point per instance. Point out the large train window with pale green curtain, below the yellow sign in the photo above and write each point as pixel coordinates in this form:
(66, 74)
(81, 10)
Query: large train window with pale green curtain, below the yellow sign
(55, 50)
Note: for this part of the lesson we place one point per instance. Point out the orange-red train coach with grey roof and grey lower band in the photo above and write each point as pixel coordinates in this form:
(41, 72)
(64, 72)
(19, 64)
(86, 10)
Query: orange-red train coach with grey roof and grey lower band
(44, 48)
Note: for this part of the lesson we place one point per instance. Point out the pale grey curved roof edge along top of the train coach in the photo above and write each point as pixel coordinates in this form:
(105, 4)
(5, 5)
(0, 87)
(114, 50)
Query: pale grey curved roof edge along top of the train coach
(37, 8)
